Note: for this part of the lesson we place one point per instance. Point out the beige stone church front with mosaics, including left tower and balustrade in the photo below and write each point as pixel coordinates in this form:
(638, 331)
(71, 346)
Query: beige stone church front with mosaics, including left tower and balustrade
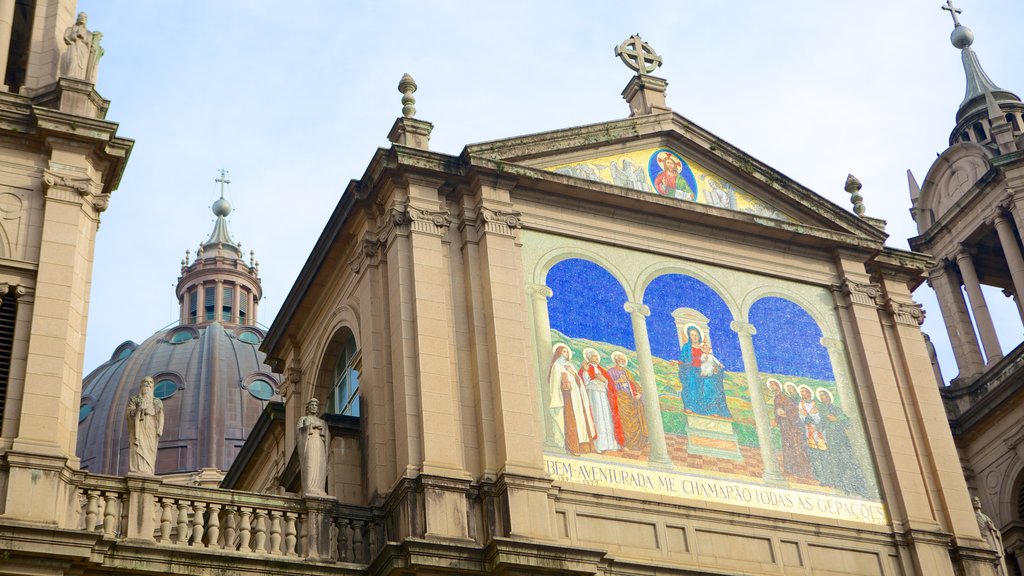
(624, 348)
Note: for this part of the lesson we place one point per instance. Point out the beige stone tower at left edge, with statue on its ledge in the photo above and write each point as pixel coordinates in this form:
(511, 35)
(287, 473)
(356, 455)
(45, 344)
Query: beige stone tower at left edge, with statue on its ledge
(63, 161)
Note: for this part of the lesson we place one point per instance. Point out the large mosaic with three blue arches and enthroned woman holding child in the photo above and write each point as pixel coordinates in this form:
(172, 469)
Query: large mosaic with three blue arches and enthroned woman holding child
(704, 383)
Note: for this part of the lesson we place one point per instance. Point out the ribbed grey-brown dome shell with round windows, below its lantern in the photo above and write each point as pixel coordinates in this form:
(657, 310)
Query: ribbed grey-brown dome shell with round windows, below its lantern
(214, 383)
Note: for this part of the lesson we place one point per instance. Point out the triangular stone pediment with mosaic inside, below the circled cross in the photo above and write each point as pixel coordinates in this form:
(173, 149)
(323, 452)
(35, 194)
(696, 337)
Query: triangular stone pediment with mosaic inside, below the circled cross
(668, 156)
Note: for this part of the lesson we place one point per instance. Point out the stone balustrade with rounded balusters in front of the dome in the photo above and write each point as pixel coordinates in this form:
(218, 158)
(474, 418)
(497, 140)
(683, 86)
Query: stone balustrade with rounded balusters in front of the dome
(147, 511)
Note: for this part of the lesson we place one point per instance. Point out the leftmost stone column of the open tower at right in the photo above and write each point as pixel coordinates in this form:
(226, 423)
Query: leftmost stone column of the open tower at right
(958, 321)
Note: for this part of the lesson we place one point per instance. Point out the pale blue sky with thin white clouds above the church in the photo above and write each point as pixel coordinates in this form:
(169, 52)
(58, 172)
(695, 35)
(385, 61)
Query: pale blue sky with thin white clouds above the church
(294, 99)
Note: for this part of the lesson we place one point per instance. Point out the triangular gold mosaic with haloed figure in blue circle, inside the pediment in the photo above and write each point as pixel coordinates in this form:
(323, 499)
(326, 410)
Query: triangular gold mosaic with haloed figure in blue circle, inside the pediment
(666, 173)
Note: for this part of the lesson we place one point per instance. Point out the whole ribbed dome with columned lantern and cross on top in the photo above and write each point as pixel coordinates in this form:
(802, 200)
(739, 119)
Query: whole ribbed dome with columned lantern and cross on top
(207, 367)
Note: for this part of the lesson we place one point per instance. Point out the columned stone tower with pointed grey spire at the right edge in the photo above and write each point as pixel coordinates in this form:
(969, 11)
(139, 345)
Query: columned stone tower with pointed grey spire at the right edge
(970, 214)
